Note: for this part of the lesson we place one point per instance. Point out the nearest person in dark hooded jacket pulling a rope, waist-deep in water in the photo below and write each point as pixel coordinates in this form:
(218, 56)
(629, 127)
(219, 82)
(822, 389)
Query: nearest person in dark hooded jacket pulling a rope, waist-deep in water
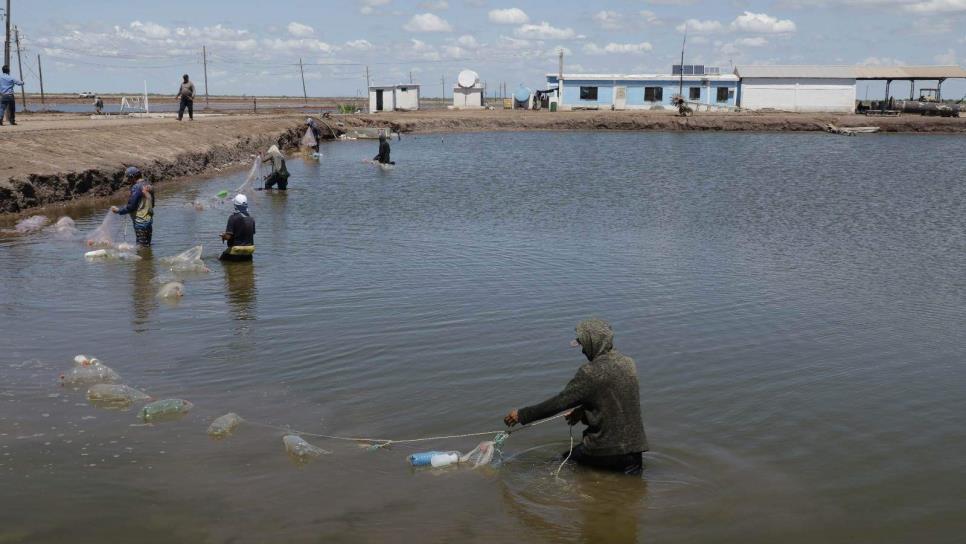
(604, 396)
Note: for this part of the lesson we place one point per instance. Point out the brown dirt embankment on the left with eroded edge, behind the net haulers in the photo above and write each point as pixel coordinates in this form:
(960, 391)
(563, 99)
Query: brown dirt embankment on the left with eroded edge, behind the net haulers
(49, 160)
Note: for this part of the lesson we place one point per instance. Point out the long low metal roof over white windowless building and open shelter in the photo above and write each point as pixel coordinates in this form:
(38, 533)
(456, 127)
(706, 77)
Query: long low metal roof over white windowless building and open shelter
(851, 72)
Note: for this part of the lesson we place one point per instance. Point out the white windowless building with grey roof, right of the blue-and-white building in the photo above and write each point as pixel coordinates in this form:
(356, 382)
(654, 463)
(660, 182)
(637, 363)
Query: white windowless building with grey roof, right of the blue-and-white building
(797, 88)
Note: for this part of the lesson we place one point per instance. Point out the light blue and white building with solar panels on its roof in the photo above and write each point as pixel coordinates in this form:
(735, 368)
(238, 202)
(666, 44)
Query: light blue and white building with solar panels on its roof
(699, 86)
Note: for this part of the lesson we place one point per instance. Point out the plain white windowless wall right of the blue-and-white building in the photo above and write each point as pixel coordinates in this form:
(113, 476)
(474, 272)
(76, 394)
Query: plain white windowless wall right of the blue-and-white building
(801, 95)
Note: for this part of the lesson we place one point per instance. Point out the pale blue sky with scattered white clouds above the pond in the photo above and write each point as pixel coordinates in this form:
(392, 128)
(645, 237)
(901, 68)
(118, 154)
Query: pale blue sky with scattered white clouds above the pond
(254, 47)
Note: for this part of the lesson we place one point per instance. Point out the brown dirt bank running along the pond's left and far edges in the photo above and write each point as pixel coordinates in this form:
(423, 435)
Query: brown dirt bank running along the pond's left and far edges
(50, 158)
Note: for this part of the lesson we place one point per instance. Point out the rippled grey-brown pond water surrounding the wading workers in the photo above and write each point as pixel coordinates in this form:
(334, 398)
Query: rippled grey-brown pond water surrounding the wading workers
(795, 303)
